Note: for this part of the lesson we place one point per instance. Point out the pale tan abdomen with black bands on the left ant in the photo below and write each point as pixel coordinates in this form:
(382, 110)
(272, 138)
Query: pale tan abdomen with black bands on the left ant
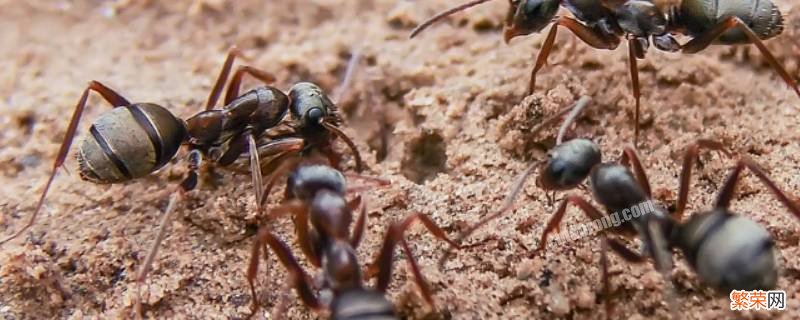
(129, 142)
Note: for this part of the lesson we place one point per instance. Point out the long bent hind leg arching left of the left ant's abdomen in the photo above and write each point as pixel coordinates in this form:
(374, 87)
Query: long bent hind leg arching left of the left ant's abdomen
(114, 99)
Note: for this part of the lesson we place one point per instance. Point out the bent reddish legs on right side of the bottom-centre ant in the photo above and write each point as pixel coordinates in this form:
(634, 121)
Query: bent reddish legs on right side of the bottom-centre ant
(395, 235)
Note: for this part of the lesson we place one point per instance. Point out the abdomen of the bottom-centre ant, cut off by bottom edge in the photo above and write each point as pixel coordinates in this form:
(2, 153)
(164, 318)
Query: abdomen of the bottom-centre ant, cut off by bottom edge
(361, 303)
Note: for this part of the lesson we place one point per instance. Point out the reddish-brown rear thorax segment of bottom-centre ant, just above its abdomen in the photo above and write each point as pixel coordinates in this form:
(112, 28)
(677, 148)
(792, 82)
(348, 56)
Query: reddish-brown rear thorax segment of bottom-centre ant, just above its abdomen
(341, 266)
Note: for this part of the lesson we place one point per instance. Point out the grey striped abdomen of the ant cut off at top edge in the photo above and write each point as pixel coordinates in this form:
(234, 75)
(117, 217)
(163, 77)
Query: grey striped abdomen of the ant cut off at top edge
(762, 16)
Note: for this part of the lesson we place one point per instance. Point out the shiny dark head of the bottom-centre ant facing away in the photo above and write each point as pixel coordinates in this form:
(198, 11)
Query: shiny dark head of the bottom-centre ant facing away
(306, 180)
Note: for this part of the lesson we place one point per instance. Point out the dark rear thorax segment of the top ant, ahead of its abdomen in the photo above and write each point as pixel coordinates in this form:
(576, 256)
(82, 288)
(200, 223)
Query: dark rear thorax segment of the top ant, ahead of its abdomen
(641, 18)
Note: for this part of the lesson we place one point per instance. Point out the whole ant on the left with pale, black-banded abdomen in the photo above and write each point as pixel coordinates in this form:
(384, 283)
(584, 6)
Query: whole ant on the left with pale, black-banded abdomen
(134, 140)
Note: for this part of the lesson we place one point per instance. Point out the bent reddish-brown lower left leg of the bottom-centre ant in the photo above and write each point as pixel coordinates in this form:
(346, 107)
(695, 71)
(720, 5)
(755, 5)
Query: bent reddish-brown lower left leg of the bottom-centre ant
(297, 276)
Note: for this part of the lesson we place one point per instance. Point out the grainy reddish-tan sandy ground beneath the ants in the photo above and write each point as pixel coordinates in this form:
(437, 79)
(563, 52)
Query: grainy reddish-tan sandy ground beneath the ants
(443, 116)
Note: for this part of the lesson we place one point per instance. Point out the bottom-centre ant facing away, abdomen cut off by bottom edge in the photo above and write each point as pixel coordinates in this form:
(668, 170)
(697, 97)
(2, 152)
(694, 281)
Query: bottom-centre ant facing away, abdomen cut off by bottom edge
(318, 197)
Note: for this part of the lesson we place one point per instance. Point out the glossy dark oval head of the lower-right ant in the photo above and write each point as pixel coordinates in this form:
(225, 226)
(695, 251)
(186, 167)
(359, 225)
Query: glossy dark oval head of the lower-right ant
(569, 164)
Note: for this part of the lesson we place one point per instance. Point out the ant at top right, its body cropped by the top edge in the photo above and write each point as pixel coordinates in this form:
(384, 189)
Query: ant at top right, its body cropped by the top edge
(603, 23)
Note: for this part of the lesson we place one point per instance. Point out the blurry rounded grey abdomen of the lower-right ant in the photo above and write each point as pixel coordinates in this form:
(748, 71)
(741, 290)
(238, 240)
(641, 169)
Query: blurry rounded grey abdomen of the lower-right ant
(729, 252)
